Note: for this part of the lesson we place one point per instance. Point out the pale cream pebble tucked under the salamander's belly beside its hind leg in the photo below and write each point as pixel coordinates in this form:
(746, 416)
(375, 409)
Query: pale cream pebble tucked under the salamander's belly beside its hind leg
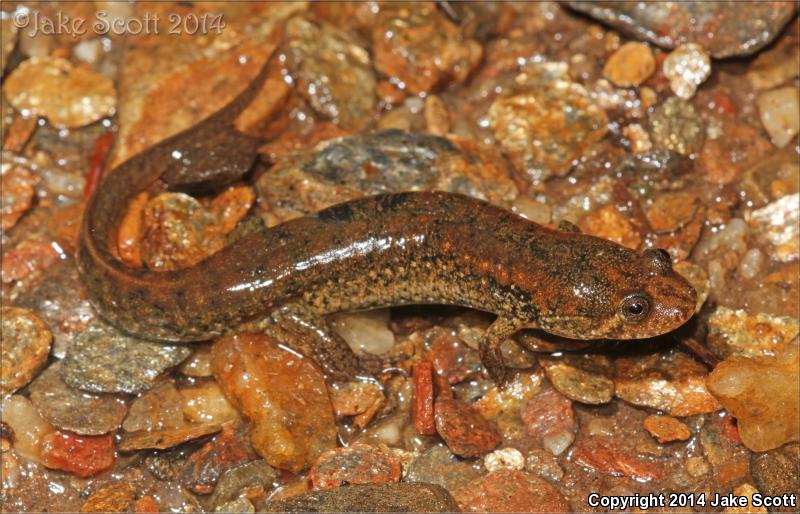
(365, 331)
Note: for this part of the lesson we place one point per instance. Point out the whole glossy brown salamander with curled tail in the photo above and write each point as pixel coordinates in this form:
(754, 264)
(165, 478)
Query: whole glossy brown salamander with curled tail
(379, 251)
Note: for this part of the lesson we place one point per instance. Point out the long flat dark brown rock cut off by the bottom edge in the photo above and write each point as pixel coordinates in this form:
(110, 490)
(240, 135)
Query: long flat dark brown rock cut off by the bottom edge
(401, 497)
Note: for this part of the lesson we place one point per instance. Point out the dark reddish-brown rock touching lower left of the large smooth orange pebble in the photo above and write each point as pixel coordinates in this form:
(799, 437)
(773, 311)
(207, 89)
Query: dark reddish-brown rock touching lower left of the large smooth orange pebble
(227, 449)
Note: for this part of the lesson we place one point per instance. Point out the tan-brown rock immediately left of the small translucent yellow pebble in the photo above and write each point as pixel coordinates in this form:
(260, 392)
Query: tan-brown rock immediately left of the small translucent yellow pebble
(159, 408)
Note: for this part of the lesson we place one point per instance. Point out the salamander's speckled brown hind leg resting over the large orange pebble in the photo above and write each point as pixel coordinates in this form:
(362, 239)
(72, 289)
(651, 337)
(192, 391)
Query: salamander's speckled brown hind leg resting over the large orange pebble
(310, 334)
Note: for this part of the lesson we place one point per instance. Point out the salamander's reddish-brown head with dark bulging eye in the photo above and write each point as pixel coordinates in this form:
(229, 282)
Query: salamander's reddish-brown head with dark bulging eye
(620, 294)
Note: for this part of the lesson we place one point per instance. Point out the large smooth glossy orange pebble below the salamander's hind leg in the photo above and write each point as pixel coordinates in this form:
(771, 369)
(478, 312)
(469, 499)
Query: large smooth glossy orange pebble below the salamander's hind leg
(283, 393)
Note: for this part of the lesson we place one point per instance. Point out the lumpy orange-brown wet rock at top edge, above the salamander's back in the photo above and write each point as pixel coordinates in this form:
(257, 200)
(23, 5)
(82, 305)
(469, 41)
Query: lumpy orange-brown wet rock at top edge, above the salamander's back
(420, 49)
